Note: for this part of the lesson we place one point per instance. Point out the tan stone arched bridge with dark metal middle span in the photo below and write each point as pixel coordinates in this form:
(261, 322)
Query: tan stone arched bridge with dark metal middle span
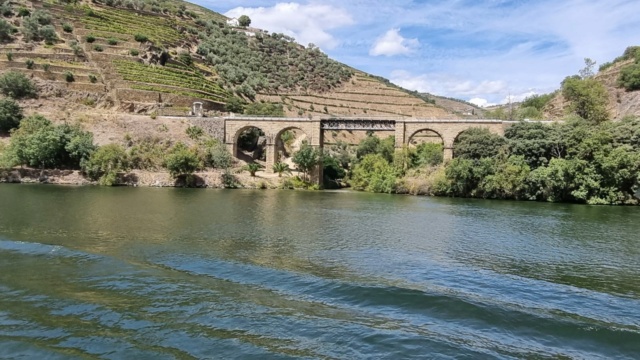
(405, 129)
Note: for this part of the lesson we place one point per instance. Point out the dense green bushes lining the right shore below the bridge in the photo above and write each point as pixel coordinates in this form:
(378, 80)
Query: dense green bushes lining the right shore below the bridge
(574, 161)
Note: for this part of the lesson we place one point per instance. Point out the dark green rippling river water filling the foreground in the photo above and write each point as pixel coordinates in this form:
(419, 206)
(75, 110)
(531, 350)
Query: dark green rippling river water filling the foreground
(113, 273)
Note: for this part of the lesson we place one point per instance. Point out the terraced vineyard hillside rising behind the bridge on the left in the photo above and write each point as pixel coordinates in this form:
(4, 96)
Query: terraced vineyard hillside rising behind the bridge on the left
(105, 60)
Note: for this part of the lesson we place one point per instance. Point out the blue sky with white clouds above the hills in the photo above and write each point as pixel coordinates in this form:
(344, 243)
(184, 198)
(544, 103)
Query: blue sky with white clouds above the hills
(485, 52)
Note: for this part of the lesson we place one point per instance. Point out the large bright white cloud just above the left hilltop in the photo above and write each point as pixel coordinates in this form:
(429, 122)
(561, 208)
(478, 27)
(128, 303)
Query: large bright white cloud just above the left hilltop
(306, 23)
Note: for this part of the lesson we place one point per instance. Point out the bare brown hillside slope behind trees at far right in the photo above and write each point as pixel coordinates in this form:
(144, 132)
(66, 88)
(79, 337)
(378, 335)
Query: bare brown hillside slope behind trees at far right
(620, 103)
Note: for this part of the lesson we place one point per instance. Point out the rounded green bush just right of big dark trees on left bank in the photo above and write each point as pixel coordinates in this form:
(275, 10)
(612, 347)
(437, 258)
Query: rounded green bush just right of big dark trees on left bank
(105, 164)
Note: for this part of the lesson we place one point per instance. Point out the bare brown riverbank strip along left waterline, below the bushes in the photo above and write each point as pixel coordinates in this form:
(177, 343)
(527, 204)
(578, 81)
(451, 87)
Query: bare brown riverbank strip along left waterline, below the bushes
(205, 179)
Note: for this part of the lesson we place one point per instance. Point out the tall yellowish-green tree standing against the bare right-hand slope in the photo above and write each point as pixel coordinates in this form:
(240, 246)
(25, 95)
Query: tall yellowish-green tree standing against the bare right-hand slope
(588, 98)
